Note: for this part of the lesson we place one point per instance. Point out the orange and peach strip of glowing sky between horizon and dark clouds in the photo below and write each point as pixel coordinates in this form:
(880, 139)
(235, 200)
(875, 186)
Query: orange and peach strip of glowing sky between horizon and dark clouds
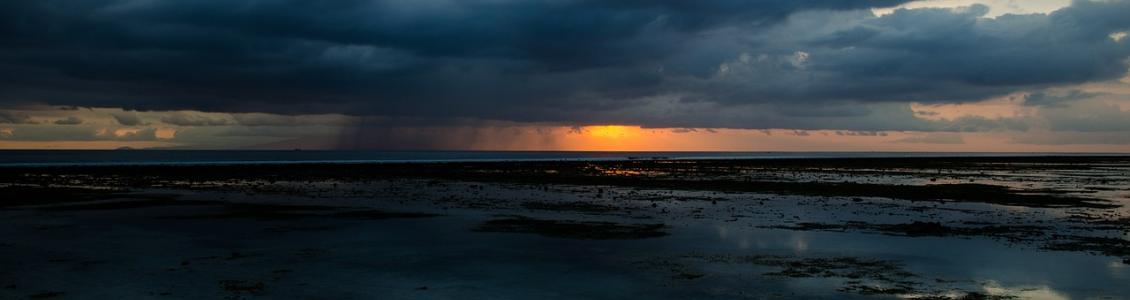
(627, 139)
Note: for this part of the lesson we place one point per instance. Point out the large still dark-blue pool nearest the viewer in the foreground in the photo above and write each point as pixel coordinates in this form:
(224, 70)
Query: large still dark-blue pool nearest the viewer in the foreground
(390, 260)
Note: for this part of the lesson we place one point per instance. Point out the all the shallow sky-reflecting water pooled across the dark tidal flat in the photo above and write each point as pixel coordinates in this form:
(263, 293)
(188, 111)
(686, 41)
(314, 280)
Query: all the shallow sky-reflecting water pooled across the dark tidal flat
(389, 260)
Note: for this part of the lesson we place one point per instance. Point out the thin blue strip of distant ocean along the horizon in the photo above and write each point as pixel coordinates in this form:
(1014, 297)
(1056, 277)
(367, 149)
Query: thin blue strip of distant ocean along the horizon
(198, 158)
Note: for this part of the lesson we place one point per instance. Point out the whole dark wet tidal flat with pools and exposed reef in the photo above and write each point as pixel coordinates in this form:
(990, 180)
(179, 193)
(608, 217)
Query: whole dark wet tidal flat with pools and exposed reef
(909, 228)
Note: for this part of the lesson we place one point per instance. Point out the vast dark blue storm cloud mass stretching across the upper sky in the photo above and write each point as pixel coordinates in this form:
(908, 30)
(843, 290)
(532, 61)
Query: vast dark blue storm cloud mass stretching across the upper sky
(575, 62)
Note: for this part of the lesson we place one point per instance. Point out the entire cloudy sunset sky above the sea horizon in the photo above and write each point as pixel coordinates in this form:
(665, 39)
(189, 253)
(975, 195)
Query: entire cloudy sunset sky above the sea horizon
(569, 75)
